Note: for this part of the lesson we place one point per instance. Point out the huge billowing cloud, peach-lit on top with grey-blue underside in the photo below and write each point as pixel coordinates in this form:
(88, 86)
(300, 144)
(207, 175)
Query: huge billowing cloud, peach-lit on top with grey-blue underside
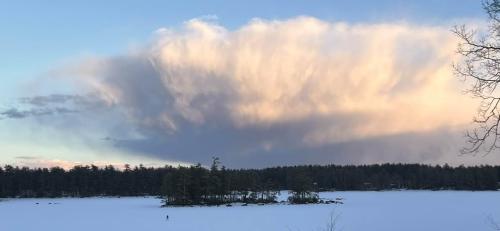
(293, 90)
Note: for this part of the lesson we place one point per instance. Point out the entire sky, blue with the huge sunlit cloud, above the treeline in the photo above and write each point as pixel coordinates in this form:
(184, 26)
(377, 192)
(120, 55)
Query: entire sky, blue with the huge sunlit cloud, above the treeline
(256, 83)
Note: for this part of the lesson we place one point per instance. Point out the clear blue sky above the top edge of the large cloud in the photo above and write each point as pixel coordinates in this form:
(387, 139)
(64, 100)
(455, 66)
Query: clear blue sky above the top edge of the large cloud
(36, 36)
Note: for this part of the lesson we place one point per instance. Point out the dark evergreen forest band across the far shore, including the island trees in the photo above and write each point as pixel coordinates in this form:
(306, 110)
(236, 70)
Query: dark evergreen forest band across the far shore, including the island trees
(216, 184)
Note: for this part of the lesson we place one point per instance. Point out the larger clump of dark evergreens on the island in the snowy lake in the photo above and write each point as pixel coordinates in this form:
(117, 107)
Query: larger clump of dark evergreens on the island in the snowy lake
(196, 185)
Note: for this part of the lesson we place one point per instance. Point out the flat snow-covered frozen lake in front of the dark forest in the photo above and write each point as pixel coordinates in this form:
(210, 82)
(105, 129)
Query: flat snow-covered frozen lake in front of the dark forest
(391, 210)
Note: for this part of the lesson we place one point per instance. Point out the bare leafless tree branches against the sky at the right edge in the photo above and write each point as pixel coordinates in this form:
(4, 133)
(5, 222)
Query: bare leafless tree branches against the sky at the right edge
(480, 64)
